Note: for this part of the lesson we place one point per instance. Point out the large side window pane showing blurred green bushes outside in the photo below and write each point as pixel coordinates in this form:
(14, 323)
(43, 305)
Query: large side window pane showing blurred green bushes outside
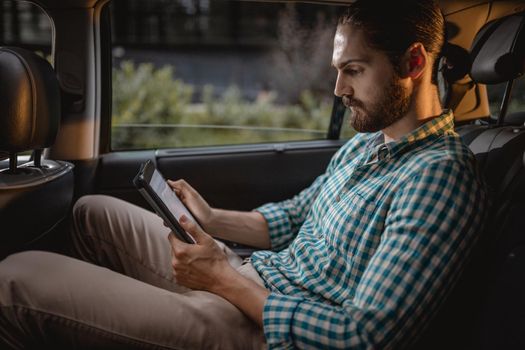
(200, 72)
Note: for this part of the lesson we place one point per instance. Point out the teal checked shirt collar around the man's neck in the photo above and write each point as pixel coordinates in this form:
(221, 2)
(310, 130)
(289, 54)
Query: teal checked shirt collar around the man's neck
(441, 125)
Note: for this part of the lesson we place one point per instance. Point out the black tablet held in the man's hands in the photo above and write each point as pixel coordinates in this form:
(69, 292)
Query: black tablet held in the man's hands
(154, 188)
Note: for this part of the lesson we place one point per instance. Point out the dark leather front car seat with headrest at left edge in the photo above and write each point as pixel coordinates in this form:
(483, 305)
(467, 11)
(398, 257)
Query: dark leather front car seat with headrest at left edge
(36, 196)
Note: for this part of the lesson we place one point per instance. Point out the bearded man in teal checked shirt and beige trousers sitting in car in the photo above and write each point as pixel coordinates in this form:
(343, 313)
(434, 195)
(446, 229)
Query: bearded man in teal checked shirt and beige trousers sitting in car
(361, 259)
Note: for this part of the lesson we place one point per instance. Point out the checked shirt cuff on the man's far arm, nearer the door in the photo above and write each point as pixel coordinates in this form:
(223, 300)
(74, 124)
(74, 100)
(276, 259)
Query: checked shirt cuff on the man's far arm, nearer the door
(279, 227)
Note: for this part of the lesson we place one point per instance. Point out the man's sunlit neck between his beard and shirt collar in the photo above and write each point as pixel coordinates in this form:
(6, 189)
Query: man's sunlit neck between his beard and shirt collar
(424, 107)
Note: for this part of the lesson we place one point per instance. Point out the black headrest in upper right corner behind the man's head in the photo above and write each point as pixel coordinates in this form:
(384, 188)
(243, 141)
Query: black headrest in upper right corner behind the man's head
(498, 51)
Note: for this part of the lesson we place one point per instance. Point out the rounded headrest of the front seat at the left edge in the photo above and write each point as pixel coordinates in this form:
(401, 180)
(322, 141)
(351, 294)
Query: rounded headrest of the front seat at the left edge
(29, 101)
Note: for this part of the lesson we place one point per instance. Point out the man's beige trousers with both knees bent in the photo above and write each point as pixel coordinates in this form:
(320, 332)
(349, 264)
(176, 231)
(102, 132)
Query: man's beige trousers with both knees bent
(120, 295)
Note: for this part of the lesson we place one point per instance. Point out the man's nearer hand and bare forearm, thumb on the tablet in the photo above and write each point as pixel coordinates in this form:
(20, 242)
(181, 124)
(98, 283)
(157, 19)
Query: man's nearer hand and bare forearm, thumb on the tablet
(204, 266)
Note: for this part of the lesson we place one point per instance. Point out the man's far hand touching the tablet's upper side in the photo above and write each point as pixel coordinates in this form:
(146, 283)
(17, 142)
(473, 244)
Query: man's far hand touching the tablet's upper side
(194, 201)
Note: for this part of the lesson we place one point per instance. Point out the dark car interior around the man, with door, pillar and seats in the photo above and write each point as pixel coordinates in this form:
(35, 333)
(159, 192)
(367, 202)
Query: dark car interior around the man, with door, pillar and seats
(55, 146)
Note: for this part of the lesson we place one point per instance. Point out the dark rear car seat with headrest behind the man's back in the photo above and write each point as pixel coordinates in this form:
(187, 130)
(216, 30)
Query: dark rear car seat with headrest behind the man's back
(486, 310)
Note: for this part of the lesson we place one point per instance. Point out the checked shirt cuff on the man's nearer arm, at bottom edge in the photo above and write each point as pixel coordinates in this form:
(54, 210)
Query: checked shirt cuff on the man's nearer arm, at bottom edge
(278, 316)
